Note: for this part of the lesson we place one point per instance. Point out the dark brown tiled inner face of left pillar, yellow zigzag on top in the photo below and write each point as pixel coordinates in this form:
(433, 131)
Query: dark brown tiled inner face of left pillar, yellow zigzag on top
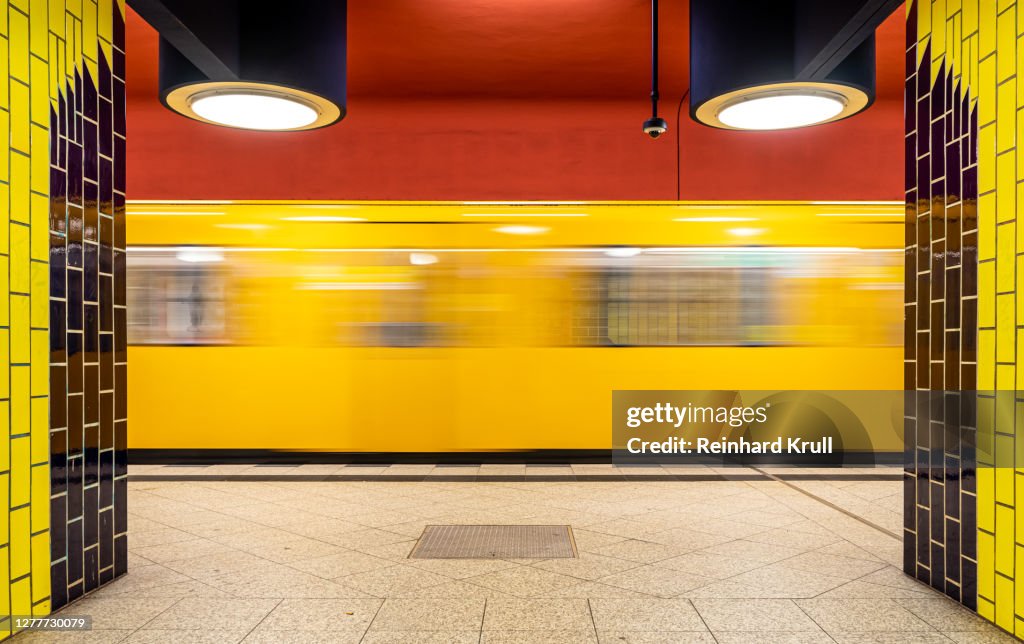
(88, 298)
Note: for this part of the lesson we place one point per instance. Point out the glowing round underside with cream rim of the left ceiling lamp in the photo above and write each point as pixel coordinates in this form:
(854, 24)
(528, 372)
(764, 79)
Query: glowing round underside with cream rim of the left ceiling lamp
(252, 106)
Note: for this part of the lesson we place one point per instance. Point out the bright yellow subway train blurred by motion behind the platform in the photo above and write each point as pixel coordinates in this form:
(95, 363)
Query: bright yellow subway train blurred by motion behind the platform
(461, 327)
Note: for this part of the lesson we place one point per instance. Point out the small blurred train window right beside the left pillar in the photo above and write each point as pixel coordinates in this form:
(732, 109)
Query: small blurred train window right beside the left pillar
(176, 296)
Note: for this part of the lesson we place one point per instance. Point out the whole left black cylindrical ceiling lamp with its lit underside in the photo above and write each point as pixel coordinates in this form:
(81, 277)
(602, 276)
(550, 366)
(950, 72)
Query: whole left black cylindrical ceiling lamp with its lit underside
(255, 68)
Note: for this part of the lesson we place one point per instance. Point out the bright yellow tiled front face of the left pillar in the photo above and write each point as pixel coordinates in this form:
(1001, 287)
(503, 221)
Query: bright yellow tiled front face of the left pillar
(25, 93)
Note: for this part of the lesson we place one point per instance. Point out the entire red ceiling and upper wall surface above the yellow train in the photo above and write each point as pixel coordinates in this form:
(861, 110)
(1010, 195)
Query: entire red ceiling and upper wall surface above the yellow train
(497, 100)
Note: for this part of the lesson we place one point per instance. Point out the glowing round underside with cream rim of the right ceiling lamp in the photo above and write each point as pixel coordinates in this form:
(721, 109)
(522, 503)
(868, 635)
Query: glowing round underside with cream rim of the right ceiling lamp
(783, 107)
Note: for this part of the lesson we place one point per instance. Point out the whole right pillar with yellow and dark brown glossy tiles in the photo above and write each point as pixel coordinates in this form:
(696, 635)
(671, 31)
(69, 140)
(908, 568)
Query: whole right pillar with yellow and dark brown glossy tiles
(965, 108)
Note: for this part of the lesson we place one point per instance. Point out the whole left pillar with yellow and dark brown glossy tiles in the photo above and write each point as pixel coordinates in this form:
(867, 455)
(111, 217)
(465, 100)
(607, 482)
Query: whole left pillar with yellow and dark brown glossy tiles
(62, 167)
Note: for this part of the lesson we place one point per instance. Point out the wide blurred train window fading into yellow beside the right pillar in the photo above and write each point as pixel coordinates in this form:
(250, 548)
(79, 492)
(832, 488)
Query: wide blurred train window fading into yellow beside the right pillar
(735, 297)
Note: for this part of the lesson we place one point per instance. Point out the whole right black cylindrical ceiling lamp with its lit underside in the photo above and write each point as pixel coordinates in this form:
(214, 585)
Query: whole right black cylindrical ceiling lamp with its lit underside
(773, 66)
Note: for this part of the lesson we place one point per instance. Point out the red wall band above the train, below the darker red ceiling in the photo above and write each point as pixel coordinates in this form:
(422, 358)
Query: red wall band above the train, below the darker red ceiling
(548, 147)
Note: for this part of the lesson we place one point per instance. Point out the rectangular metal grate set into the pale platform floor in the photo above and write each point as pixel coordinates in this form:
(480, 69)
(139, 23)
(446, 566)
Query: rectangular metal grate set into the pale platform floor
(495, 542)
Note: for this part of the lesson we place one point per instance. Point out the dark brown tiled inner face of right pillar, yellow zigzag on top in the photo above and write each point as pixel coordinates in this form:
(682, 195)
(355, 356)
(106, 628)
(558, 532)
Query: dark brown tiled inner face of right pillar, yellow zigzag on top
(941, 307)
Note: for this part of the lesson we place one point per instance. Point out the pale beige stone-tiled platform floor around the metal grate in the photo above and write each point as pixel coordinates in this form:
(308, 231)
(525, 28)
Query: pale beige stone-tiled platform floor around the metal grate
(757, 561)
